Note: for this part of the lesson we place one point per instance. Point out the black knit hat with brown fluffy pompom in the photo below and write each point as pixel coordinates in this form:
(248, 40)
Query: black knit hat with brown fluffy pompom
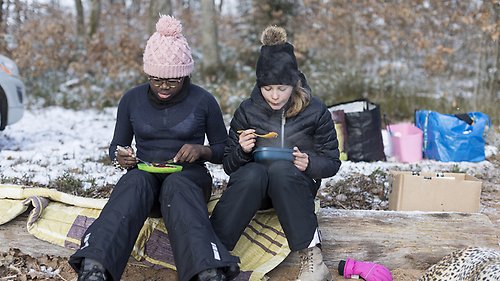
(277, 64)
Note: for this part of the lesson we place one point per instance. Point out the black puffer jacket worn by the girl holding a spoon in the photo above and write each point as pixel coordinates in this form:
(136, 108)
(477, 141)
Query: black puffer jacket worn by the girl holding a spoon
(312, 131)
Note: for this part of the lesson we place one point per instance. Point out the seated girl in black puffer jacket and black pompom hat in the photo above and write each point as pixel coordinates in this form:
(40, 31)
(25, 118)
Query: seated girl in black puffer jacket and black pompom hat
(280, 102)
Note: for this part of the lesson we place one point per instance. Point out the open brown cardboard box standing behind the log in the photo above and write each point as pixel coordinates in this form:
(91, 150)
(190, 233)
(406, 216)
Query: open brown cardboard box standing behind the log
(438, 192)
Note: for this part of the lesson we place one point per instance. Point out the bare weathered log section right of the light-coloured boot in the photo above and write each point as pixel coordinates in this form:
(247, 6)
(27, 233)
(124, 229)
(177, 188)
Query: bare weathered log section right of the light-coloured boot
(412, 240)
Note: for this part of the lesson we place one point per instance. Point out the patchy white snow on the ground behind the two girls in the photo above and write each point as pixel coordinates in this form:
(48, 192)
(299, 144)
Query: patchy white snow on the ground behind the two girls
(53, 143)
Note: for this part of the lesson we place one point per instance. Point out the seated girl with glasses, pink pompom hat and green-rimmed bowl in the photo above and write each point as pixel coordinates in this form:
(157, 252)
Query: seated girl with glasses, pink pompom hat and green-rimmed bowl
(169, 118)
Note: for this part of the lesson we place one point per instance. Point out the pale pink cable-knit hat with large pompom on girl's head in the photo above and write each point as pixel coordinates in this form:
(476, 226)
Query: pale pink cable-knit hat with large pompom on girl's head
(167, 53)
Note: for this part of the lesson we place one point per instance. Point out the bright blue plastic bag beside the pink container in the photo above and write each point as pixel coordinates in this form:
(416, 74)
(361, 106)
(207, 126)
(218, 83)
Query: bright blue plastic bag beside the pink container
(453, 138)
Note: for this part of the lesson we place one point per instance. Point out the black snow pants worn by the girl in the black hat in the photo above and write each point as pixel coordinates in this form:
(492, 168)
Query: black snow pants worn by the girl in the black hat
(256, 187)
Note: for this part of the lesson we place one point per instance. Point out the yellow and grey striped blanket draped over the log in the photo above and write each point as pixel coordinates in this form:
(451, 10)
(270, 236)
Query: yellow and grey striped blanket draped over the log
(62, 219)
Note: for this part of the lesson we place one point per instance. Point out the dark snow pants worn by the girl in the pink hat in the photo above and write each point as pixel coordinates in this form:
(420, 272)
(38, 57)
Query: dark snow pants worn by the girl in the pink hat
(183, 199)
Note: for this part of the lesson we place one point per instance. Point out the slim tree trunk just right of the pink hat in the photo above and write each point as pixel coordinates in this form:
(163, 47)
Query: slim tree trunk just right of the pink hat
(209, 38)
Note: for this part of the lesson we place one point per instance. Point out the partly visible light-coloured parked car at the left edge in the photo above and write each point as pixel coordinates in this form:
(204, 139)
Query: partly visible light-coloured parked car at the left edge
(12, 93)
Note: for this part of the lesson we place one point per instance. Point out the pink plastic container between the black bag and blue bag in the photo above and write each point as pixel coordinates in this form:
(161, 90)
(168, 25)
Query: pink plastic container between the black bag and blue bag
(406, 142)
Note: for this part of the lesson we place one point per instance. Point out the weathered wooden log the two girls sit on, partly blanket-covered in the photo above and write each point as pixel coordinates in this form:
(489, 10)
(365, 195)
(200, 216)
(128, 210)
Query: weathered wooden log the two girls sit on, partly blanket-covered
(398, 240)
